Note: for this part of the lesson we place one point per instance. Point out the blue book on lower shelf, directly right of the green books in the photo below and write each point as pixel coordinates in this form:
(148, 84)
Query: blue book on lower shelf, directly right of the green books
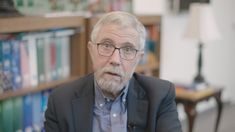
(27, 110)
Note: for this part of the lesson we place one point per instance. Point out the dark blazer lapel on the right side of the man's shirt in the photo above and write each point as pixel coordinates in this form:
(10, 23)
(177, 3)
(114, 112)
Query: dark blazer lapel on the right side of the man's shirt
(137, 107)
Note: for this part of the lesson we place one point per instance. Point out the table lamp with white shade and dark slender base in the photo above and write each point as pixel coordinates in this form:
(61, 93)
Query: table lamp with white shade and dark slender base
(203, 28)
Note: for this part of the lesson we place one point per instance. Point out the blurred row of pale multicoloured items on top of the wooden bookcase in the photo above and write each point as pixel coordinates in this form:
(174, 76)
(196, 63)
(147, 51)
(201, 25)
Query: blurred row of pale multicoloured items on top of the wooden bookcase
(35, 7)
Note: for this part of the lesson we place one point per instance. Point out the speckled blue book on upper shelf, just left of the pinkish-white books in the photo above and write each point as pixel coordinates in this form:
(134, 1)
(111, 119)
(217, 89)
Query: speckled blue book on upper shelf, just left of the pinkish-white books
(15, 64)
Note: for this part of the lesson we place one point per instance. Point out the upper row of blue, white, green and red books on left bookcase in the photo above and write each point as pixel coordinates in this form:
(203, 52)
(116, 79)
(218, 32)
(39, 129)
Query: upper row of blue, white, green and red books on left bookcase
(29, 59)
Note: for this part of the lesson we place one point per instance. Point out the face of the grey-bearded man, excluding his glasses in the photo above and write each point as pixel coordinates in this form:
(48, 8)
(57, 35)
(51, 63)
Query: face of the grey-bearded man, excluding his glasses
(112, 73)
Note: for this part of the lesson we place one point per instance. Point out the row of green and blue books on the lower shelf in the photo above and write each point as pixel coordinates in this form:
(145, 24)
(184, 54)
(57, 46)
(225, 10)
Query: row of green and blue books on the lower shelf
(24, 113)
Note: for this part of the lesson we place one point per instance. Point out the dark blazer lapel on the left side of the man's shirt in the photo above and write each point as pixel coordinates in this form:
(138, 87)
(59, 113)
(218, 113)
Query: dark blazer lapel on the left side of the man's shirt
(83, 108)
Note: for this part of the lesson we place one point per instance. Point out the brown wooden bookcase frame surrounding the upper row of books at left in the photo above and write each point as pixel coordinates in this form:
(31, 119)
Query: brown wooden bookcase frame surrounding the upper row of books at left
(77, 49)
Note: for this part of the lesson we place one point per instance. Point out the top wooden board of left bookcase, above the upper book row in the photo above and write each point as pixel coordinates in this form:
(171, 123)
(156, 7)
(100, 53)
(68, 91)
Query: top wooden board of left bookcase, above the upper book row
(21, 24)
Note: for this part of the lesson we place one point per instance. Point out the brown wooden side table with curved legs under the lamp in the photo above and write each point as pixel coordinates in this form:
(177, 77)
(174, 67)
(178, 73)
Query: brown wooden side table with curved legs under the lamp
(190, 99)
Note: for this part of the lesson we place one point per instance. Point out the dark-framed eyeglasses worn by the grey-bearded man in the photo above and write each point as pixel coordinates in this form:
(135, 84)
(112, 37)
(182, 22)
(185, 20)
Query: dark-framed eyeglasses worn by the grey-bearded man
(126, 53)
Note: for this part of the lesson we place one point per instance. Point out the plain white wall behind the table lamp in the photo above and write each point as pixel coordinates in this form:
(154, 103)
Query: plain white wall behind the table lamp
(179, 55)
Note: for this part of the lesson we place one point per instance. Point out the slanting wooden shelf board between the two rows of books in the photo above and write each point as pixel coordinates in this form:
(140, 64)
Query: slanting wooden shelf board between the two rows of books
(40, 87)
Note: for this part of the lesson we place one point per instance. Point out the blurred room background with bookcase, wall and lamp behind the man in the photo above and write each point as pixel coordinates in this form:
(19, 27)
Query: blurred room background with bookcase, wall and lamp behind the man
(177, 29)
